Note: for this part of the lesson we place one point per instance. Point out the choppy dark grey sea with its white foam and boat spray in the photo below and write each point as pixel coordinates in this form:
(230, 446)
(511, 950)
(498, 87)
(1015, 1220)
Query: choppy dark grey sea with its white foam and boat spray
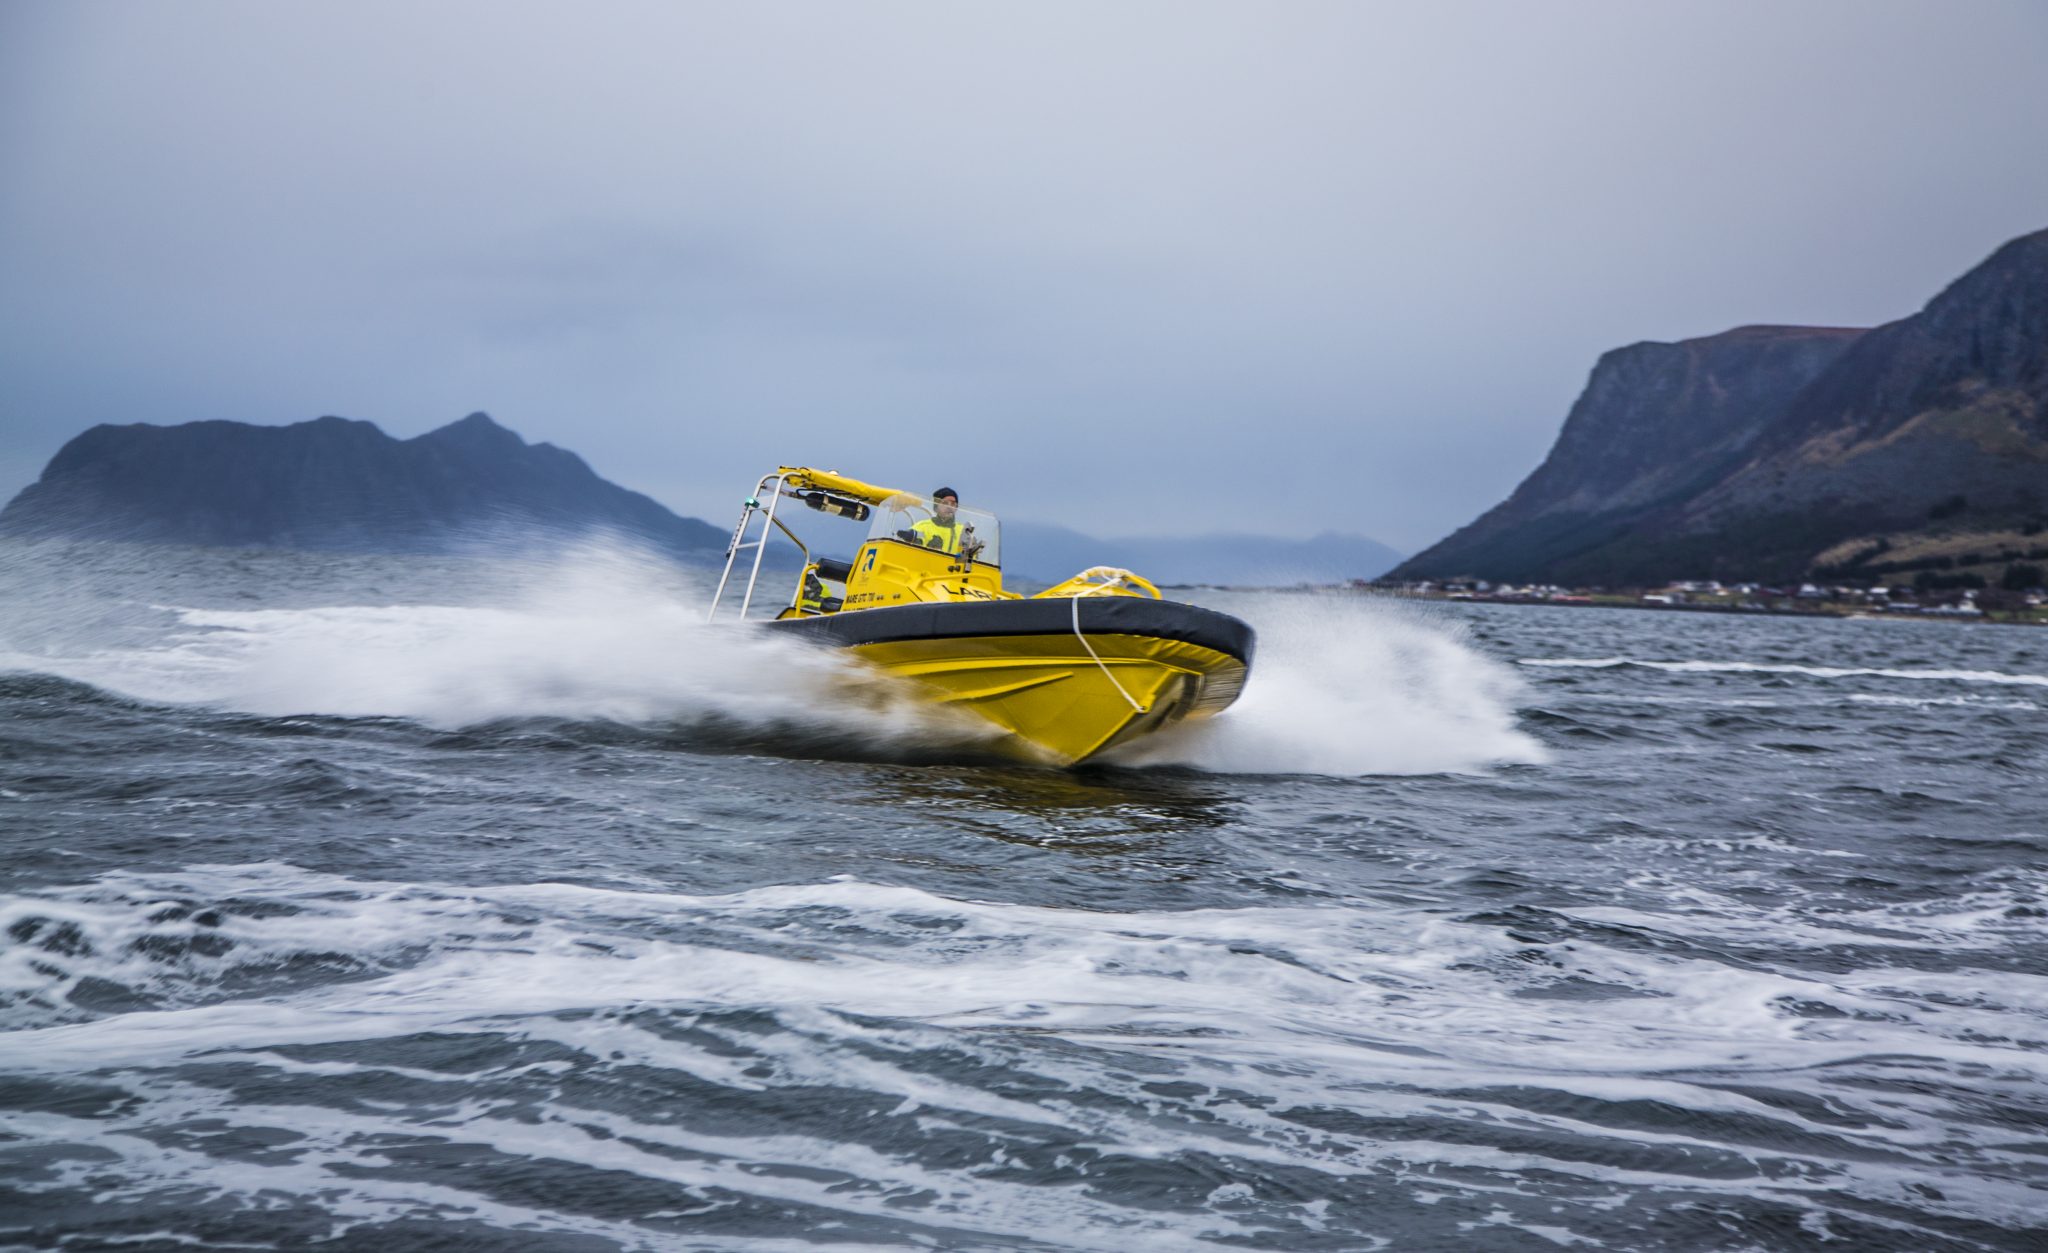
(376, 904)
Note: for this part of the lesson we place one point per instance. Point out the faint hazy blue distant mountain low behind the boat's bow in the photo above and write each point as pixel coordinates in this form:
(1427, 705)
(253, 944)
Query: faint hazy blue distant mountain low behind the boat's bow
(1050, 554)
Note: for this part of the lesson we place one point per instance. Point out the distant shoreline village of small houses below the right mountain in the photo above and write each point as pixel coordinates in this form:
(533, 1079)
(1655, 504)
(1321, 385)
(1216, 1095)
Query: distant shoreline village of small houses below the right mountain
(1996, 605)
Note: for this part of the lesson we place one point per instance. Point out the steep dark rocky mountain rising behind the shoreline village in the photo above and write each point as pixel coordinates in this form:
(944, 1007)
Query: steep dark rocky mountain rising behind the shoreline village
(1773, 453)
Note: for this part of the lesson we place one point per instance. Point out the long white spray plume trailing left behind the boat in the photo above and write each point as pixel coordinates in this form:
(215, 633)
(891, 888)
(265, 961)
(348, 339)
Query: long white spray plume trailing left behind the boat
(595, 632)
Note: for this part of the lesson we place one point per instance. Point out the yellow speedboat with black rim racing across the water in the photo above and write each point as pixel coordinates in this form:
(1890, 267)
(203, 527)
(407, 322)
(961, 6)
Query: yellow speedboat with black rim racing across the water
(1070, 673)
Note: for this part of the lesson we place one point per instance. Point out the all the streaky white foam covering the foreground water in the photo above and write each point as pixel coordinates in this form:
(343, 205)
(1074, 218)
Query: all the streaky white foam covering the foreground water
(1314, 1006)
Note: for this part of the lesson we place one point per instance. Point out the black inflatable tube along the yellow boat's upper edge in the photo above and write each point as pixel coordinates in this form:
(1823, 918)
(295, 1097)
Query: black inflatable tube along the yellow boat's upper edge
(1101, 615)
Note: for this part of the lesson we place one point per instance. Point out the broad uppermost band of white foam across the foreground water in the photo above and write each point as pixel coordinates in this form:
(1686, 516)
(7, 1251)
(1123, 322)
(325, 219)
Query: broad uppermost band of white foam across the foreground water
(1392, 980)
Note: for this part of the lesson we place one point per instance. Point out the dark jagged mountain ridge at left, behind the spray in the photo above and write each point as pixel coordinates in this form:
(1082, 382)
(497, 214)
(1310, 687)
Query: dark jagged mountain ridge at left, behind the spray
(333, 484)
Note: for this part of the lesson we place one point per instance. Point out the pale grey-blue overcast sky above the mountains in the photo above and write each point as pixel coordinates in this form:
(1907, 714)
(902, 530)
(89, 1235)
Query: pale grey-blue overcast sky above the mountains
(1140, 269)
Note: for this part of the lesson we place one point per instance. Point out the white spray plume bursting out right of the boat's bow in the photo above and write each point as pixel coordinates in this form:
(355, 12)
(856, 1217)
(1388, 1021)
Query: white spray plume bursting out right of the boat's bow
(1347, 687)
